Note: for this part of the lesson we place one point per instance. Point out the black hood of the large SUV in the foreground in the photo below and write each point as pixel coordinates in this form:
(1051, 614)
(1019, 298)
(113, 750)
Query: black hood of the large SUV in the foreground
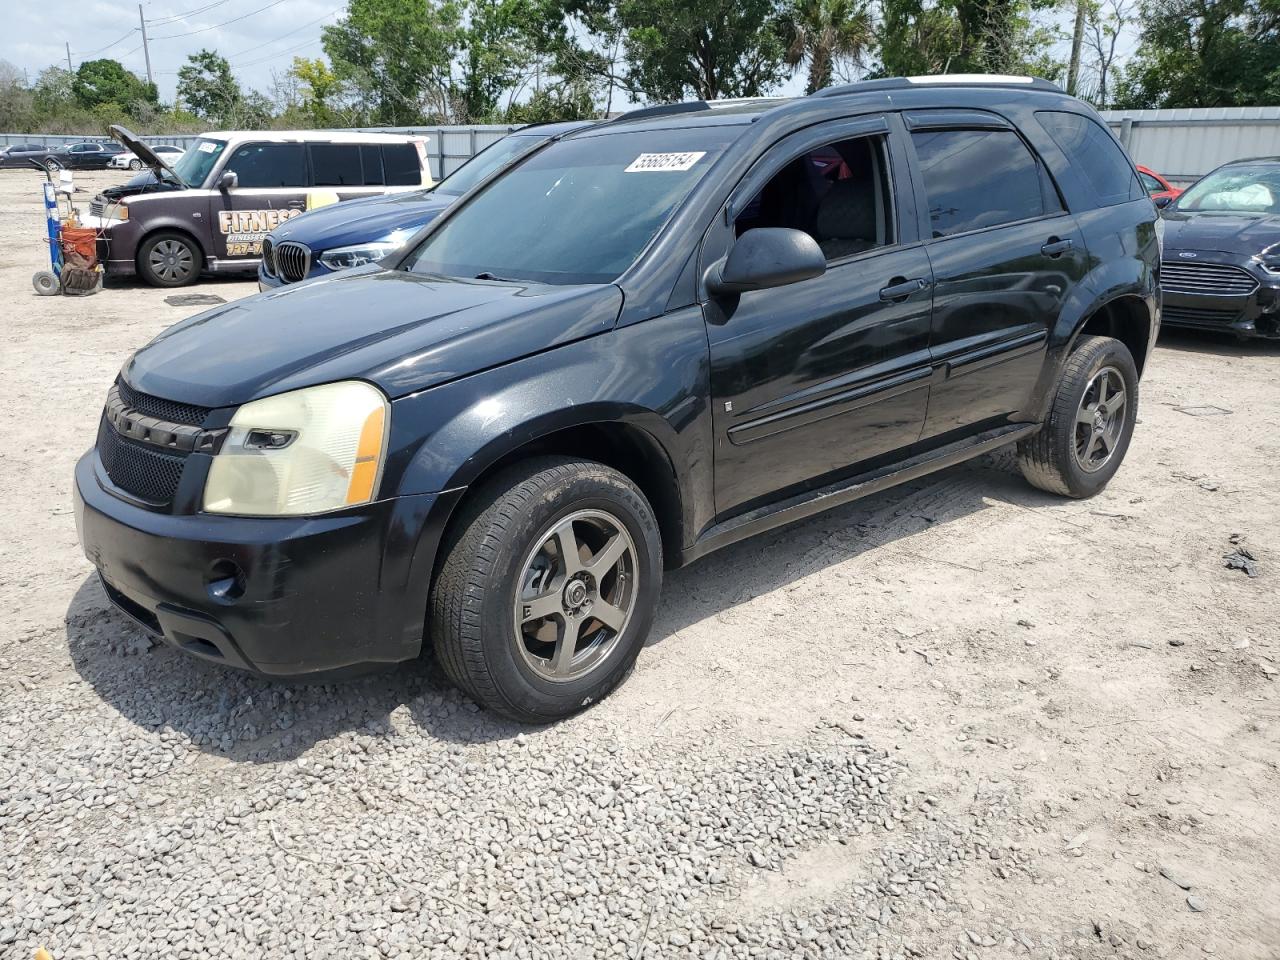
(400, 331)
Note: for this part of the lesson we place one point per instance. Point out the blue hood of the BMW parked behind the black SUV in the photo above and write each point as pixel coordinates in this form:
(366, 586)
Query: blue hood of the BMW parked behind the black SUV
(363, 221)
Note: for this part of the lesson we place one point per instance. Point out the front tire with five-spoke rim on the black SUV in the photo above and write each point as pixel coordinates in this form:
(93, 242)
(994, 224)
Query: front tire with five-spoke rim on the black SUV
(505, 550)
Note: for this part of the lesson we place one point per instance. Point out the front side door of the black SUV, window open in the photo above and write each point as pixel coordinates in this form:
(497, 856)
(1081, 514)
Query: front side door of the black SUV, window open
(822, 377)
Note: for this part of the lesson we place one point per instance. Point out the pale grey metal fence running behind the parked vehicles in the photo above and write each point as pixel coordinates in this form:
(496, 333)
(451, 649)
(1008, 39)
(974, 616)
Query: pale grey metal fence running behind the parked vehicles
(1183, 145)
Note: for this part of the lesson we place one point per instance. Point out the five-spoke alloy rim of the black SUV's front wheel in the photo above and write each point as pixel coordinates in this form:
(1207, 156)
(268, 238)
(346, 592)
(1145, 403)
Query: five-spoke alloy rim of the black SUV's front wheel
(577, 593)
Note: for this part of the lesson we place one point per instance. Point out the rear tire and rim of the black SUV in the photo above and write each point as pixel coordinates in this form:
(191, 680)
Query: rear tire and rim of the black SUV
(1085, 440)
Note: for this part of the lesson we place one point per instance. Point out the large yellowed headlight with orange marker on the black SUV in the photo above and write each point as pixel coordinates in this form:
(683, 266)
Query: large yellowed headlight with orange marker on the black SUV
(301, 452)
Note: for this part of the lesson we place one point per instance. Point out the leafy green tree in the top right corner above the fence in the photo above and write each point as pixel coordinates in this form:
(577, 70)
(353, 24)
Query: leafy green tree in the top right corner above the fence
(1205, 53)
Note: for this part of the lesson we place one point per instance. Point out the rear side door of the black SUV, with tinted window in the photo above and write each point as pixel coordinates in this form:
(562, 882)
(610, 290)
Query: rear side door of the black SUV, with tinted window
(1005, 255)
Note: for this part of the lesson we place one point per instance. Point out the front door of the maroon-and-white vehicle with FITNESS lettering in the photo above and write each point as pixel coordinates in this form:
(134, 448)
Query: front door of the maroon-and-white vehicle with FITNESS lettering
(272, 188)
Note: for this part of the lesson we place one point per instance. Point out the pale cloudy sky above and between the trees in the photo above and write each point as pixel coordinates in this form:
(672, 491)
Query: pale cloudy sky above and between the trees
(257, 36)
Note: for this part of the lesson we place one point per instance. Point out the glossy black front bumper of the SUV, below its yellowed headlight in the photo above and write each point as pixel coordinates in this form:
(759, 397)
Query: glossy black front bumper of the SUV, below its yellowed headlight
(284, 597)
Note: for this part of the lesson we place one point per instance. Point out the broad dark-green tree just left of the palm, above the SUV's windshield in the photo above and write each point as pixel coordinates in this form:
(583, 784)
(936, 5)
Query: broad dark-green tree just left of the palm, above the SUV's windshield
(710, 51)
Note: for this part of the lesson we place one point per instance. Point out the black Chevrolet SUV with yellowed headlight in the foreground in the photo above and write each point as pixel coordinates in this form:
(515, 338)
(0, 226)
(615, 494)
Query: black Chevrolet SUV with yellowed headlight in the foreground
(644, 341)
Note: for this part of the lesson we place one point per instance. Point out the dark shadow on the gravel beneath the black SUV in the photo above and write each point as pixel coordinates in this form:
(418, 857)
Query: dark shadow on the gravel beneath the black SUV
(253, 720)
